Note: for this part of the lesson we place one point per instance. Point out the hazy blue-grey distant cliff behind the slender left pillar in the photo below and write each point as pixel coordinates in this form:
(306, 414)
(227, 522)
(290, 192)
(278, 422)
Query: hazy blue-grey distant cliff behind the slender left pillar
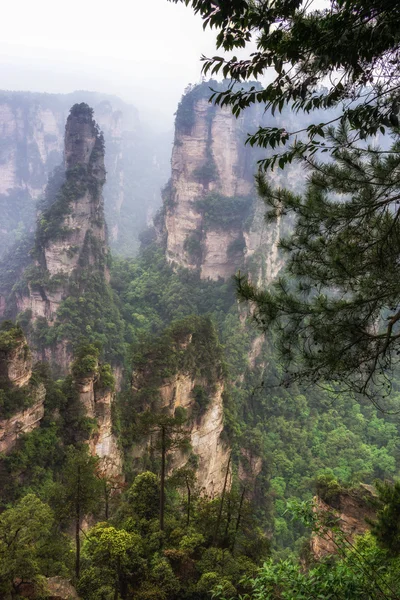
(32, 143)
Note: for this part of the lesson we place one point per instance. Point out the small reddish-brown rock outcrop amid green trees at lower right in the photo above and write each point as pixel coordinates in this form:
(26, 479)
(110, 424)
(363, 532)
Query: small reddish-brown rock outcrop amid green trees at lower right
(350, 510)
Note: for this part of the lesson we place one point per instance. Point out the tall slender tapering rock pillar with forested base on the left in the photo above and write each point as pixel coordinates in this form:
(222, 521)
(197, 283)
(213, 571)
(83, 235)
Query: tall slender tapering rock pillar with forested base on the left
(64, 295)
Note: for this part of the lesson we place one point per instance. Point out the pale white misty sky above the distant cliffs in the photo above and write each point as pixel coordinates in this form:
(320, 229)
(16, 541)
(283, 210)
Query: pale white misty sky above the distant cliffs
(145, 51)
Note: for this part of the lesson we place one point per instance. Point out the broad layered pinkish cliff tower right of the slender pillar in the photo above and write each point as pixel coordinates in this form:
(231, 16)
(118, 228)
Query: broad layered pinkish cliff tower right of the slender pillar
(213, 220)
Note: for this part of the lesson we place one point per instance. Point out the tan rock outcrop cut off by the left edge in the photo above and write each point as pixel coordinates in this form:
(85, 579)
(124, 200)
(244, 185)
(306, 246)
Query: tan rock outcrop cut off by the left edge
(16, 383)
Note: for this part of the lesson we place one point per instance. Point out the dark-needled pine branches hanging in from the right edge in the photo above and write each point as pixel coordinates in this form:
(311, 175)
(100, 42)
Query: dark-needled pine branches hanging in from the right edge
(337, 308)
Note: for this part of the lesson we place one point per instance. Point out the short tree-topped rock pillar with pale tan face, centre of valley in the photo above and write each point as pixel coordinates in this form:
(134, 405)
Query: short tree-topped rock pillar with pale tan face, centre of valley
(183, 370)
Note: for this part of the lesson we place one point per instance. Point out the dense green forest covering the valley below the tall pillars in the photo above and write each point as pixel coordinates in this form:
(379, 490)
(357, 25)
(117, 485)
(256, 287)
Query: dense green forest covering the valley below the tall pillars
(300, 435)
